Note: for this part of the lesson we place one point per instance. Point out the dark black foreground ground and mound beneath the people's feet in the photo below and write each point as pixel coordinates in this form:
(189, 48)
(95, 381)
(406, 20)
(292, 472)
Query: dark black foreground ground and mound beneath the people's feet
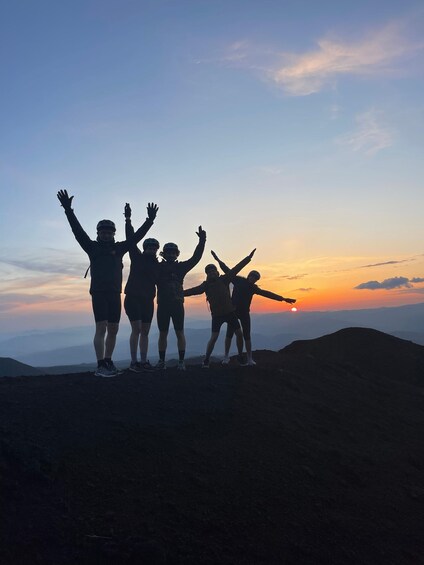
(315, 456)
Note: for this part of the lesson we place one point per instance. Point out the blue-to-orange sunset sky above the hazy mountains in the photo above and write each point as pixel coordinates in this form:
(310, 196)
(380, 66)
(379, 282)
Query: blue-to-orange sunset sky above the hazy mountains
(293, 127)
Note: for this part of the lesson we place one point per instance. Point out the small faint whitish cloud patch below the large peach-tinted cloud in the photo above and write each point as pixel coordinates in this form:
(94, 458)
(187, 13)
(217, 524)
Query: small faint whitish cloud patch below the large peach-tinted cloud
(370, 135)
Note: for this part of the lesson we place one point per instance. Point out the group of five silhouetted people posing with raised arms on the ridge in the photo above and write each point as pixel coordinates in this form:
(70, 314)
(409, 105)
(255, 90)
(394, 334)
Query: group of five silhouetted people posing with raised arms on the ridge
(164, 279)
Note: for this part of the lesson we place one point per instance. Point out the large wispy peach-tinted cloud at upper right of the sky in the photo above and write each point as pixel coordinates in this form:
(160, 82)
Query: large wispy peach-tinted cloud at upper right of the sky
(301, 74)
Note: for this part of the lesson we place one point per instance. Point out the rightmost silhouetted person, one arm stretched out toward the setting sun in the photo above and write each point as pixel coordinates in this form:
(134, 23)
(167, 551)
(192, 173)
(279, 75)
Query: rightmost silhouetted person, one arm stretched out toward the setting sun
(243, 290)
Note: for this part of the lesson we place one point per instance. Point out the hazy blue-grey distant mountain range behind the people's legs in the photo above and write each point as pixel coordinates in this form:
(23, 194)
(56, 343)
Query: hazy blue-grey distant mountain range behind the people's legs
(270, 331)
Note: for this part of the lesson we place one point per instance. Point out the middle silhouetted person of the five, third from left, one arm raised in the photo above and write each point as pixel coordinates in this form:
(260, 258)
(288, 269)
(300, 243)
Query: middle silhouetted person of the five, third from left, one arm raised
(170, 298)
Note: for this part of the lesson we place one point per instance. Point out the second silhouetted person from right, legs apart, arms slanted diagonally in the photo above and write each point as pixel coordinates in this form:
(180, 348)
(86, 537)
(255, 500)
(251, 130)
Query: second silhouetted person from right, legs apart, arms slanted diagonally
(217, 290)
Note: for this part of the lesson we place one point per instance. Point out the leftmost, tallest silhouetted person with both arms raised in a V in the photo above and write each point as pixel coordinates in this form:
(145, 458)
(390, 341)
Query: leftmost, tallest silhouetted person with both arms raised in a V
(105, 256)
